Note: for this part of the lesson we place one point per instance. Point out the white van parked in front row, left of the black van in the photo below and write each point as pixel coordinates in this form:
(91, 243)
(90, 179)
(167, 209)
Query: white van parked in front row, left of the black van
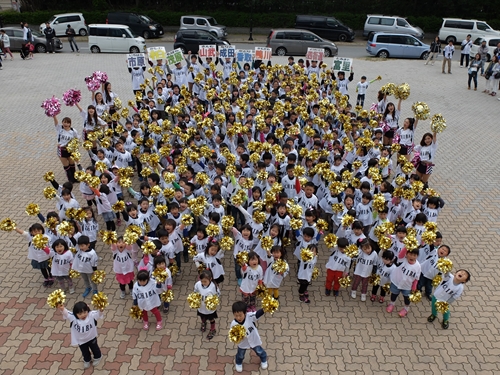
(114, 38)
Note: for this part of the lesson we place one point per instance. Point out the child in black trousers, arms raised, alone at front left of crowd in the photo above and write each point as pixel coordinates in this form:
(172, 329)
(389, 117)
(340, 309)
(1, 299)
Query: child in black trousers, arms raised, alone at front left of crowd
(84, 331)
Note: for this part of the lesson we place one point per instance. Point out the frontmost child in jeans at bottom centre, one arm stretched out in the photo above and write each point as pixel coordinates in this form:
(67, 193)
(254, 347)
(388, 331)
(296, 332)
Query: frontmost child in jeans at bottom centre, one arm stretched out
(252, 338)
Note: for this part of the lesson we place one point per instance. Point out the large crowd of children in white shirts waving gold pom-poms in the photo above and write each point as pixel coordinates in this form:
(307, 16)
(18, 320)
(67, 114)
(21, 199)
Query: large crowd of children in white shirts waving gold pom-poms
(279, 150)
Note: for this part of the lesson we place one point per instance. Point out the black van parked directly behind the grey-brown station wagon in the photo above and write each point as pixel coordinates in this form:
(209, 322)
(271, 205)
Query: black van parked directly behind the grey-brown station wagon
(326, 27)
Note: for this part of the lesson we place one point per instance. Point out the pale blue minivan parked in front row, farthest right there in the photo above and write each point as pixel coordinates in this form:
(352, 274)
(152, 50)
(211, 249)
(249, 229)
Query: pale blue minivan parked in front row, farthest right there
(396, 45)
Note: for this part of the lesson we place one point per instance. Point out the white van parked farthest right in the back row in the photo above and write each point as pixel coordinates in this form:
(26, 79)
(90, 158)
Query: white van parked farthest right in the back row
(457, 29)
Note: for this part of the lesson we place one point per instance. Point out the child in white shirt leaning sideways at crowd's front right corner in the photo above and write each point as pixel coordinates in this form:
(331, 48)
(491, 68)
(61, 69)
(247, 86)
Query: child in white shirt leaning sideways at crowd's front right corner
(450, 289)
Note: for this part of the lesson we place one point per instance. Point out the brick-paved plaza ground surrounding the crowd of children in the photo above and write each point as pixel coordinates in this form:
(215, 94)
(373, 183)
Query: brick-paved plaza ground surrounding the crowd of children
(329, 336)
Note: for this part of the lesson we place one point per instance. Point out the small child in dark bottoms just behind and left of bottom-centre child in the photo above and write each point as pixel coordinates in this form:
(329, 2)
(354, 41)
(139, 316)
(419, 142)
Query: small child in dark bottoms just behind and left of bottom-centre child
(210, 294)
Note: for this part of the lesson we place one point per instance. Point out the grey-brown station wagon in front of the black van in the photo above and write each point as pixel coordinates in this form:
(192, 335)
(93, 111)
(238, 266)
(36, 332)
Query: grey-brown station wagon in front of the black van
(296, 41)
